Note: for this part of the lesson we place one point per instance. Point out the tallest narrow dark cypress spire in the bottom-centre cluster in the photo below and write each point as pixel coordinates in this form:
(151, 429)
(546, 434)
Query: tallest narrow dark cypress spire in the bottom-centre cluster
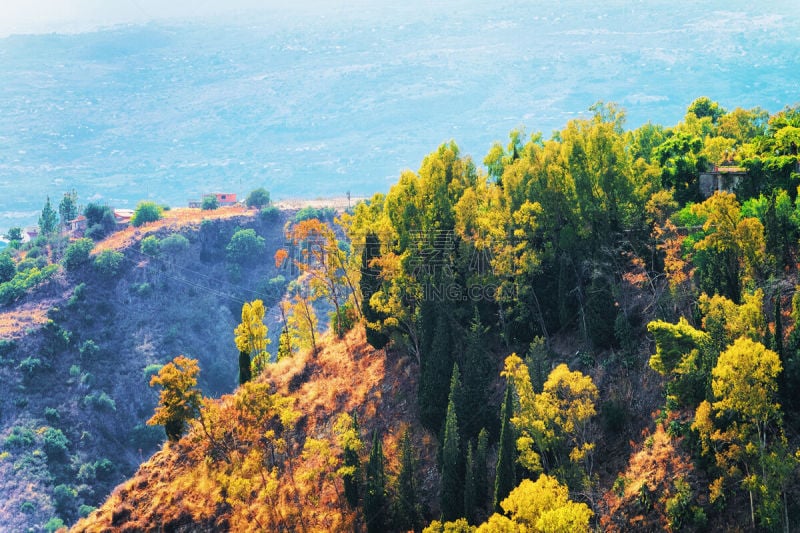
(452, 495)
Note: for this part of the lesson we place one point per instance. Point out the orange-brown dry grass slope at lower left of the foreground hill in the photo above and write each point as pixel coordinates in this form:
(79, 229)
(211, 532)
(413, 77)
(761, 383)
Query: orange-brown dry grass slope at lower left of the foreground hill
(183, 488)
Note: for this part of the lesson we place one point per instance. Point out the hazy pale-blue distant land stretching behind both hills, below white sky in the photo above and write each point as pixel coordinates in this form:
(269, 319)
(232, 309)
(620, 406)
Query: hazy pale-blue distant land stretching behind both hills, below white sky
(316, 102)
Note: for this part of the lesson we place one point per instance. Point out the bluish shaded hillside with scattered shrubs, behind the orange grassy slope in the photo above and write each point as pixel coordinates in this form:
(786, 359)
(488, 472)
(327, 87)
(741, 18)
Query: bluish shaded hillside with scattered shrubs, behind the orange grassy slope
(78, 353)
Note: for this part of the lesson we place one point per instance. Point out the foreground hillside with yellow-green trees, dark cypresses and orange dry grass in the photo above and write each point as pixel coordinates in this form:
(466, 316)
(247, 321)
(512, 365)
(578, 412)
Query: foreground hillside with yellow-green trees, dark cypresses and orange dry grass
(596, 332)
